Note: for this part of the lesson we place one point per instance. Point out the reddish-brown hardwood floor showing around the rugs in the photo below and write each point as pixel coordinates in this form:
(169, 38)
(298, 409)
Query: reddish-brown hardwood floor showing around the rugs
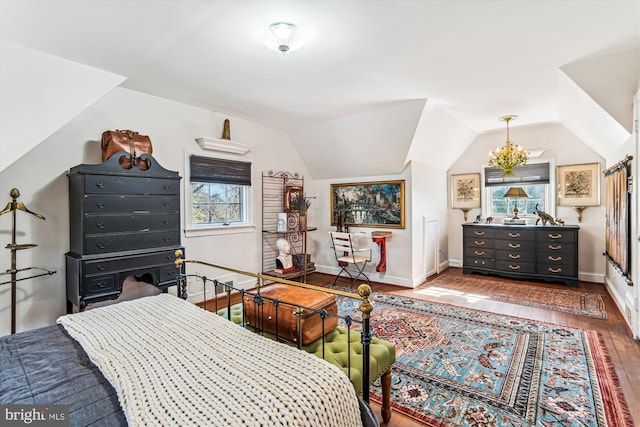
(623, 350)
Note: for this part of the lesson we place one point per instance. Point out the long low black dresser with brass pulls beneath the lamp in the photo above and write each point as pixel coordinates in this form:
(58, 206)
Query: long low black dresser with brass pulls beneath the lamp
(547, 253)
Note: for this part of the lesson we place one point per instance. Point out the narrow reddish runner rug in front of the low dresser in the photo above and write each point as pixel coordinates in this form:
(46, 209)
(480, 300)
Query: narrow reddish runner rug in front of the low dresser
(565, 300)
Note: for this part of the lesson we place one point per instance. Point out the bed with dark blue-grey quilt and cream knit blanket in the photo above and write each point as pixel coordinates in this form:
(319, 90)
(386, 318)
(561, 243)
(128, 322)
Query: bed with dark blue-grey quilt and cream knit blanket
(126, 364)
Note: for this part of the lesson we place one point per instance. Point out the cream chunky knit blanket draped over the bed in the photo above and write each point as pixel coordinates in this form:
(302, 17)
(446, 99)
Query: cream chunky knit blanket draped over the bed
(173, 363)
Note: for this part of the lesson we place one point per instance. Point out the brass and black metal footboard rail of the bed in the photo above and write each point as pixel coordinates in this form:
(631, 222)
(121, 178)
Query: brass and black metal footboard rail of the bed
(364, 292)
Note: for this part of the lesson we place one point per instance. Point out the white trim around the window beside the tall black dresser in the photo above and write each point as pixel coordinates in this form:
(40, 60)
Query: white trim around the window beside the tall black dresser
(191, 230)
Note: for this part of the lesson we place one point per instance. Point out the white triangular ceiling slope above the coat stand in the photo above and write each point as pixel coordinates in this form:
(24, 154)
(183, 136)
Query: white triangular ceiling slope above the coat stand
(40, 94)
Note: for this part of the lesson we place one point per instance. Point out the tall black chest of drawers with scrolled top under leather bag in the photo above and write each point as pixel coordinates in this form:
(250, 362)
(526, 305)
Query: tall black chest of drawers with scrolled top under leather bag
(123, 222)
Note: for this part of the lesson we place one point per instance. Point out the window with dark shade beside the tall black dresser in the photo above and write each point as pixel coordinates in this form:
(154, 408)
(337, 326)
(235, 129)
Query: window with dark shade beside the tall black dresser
(218, 193)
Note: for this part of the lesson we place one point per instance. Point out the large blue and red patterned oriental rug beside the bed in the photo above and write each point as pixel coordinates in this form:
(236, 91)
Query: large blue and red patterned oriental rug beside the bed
(462, 367)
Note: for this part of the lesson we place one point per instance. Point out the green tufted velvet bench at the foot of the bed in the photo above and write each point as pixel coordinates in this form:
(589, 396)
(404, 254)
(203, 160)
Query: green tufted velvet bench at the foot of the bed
(382, 356)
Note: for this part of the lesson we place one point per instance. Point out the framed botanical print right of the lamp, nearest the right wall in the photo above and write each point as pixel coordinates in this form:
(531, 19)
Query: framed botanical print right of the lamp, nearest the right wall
(579, 185)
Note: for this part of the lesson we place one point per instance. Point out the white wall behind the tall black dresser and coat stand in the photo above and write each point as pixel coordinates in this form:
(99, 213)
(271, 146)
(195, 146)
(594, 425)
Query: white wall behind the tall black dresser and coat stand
(40, 175)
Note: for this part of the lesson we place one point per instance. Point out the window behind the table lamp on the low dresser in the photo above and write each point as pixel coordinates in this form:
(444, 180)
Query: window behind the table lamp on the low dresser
(533, 178)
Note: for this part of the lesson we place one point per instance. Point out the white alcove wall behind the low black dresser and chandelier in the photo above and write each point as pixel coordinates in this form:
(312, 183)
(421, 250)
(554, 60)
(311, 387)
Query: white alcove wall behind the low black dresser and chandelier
(561, 147)
